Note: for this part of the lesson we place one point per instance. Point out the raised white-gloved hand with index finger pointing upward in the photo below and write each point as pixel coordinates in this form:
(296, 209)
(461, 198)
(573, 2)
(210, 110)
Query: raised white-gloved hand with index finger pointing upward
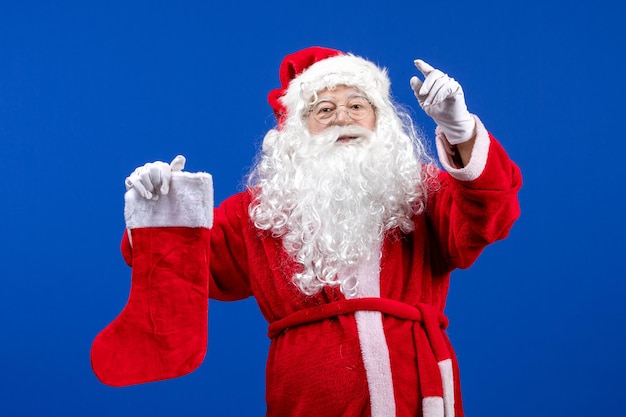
(442, 98)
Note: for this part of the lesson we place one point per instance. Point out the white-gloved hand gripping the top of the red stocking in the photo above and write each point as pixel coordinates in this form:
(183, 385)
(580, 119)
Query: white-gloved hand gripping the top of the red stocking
(153, 179)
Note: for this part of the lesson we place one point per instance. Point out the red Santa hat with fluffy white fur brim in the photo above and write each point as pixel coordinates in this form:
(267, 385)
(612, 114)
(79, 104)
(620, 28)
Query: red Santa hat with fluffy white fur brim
(310, 70)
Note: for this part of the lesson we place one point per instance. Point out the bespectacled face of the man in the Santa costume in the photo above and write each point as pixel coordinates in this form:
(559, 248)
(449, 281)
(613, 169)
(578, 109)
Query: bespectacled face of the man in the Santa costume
(341, 106)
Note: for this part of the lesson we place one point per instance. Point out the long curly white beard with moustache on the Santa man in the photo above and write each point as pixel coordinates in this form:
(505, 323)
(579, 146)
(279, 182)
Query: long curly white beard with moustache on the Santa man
(332, 201)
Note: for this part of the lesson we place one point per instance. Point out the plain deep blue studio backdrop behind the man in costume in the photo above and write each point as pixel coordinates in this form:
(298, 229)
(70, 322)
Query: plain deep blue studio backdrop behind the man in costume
(91, 89)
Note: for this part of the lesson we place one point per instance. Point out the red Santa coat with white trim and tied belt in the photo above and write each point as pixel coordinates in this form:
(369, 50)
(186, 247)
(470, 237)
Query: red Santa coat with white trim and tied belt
(385, 352)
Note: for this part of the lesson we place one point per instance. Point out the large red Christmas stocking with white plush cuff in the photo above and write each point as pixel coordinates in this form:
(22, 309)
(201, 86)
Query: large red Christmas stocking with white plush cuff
(162, 331)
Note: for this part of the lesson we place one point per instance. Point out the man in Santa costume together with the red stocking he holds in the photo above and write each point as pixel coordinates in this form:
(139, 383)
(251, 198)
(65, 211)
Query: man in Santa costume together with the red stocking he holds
(346, 236)
